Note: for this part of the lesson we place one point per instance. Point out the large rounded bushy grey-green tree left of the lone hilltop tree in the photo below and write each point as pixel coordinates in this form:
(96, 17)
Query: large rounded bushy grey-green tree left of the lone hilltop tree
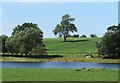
(24, 38)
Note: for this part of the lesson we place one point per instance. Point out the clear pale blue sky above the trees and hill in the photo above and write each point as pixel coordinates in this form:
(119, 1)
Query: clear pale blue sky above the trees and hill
(91, 17)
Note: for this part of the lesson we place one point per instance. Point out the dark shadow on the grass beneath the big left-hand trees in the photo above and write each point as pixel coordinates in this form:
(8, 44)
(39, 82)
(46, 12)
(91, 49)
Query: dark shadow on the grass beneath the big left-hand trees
(35, 56)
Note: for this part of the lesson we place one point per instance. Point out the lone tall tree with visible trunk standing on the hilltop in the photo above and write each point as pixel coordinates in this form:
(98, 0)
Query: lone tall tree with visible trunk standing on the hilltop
(65, 27)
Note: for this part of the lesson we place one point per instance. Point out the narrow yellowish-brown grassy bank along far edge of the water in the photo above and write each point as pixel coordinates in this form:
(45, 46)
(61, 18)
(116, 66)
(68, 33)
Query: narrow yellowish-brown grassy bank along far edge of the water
(62, 59)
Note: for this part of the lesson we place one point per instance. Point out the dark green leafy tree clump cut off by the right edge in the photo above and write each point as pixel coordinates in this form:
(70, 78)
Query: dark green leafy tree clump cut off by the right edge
(109, 46)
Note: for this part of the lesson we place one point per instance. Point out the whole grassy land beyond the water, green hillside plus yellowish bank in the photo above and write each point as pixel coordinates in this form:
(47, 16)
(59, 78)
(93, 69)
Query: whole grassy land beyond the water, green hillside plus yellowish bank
(74, 50)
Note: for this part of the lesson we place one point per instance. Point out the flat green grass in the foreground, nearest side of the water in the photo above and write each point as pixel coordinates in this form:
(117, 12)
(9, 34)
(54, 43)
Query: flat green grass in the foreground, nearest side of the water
(24, 74)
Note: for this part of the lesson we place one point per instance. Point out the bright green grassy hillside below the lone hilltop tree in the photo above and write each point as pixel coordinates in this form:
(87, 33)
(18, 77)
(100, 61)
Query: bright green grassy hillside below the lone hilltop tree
(72, 46)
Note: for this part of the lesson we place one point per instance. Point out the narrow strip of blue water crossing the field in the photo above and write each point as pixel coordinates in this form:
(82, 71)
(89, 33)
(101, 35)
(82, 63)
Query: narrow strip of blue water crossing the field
(59, 65)
